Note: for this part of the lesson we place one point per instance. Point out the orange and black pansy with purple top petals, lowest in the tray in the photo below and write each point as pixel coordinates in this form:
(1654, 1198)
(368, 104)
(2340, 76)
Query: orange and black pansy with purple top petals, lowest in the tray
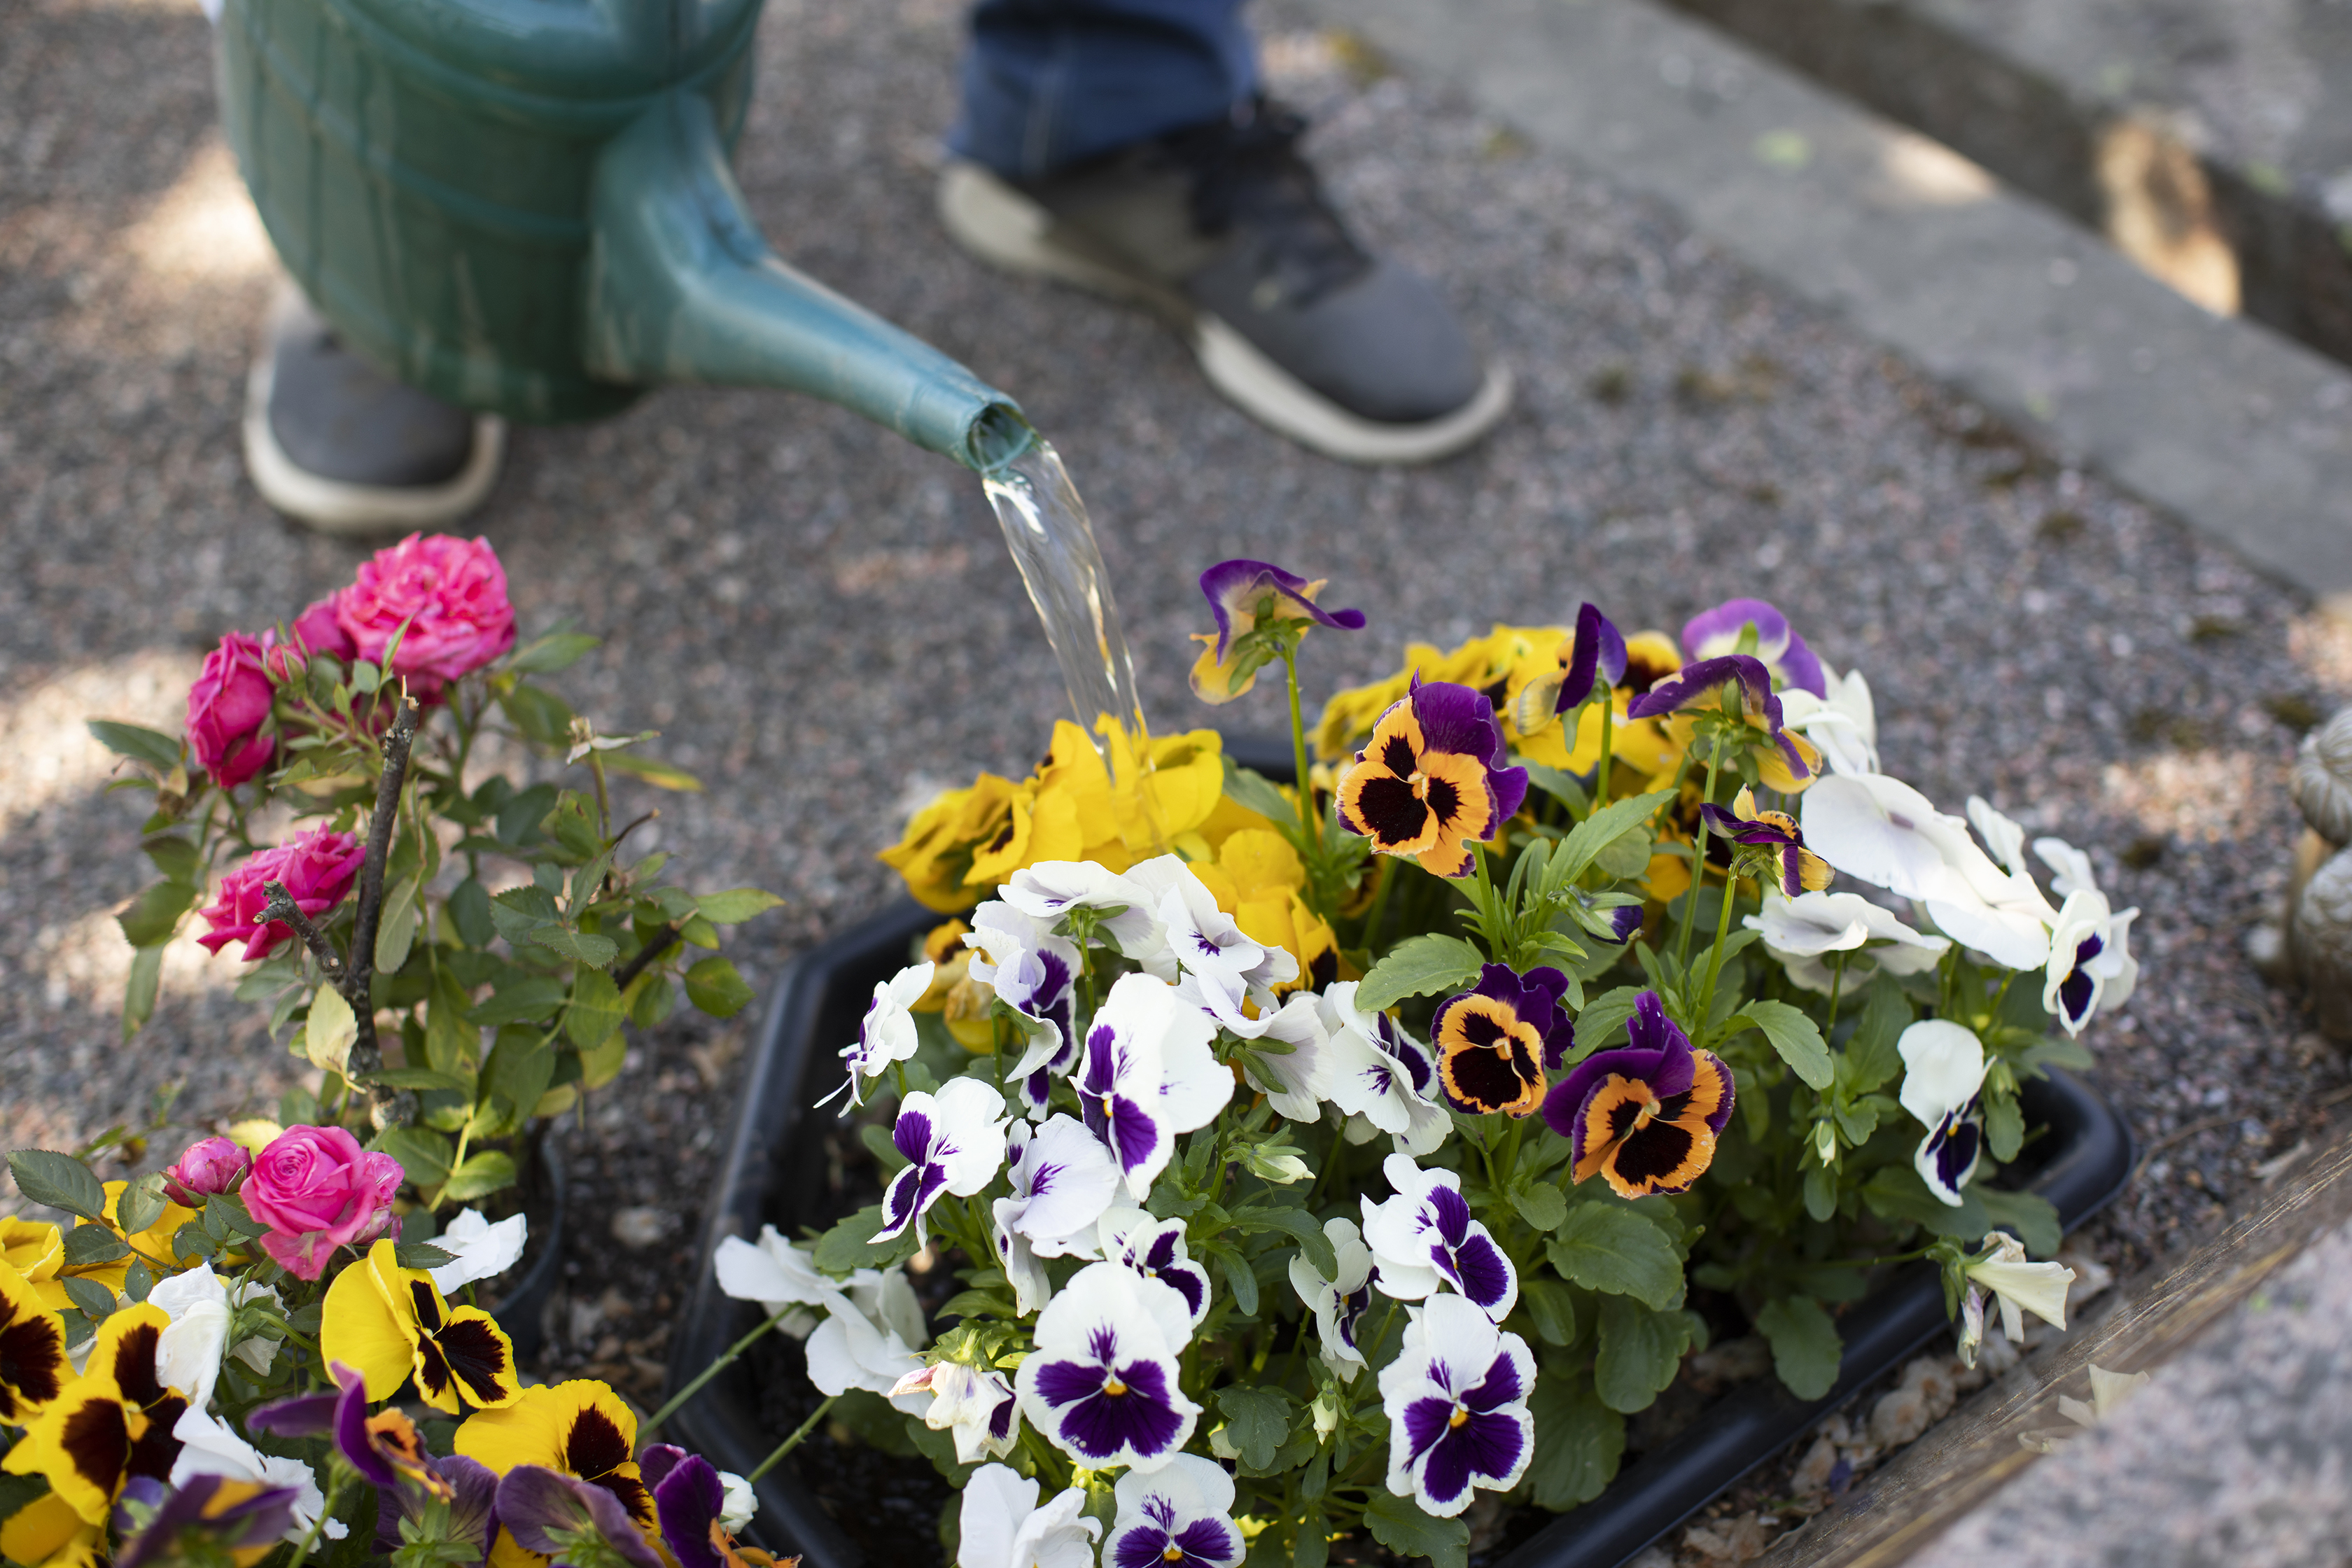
(1645, 1115)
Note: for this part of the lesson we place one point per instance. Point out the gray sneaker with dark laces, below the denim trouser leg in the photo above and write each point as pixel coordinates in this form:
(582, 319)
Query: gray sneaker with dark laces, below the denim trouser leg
(1224, 229)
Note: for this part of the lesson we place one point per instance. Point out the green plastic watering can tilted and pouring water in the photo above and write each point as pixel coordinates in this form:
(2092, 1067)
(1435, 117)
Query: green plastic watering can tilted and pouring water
(526, 208)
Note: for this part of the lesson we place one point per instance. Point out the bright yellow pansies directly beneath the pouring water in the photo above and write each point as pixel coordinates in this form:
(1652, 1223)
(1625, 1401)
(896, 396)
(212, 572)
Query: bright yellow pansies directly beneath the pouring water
(1074, 808)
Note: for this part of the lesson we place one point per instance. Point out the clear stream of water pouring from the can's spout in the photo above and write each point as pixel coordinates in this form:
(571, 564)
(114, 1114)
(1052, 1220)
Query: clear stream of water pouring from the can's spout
(1053, 542)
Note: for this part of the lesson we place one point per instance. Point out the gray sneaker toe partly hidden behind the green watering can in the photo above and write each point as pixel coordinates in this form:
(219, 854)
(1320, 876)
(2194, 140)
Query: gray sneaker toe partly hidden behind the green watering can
(335, 443)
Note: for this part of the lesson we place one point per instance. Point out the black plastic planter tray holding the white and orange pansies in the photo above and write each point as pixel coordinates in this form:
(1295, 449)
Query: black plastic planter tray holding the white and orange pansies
(773, 1170)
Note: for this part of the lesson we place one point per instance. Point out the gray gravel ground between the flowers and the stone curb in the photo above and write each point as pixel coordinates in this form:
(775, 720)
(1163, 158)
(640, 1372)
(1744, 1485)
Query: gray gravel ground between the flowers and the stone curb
(827, 626)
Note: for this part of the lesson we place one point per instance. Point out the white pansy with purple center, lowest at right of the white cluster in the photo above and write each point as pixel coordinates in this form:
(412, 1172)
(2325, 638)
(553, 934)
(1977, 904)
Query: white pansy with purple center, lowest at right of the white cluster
(1457, 1407)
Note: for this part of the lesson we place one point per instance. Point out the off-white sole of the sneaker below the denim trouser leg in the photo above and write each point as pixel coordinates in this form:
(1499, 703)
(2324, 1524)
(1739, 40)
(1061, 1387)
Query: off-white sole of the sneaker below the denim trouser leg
(1010, 232)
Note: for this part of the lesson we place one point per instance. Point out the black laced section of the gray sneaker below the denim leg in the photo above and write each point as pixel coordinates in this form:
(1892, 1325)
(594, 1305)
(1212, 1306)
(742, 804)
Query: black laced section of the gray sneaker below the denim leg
(1248, 175)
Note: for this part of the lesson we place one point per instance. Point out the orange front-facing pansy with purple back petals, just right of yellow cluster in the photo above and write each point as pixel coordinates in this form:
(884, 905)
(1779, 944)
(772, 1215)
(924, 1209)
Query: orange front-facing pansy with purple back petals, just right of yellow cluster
(1426, 784)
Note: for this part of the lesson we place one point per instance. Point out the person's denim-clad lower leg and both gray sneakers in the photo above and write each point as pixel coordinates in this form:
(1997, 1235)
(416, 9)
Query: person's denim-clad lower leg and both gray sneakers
(1116, 145)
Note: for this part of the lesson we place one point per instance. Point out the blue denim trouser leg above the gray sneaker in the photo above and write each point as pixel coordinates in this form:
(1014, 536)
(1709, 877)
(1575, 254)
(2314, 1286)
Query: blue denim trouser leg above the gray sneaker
(1050, 83)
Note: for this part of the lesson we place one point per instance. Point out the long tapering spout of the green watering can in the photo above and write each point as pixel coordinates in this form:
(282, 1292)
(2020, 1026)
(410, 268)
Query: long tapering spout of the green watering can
(683, 288)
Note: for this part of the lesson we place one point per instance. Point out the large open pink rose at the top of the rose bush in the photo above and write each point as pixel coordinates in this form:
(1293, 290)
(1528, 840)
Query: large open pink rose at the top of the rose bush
(453, 598)
